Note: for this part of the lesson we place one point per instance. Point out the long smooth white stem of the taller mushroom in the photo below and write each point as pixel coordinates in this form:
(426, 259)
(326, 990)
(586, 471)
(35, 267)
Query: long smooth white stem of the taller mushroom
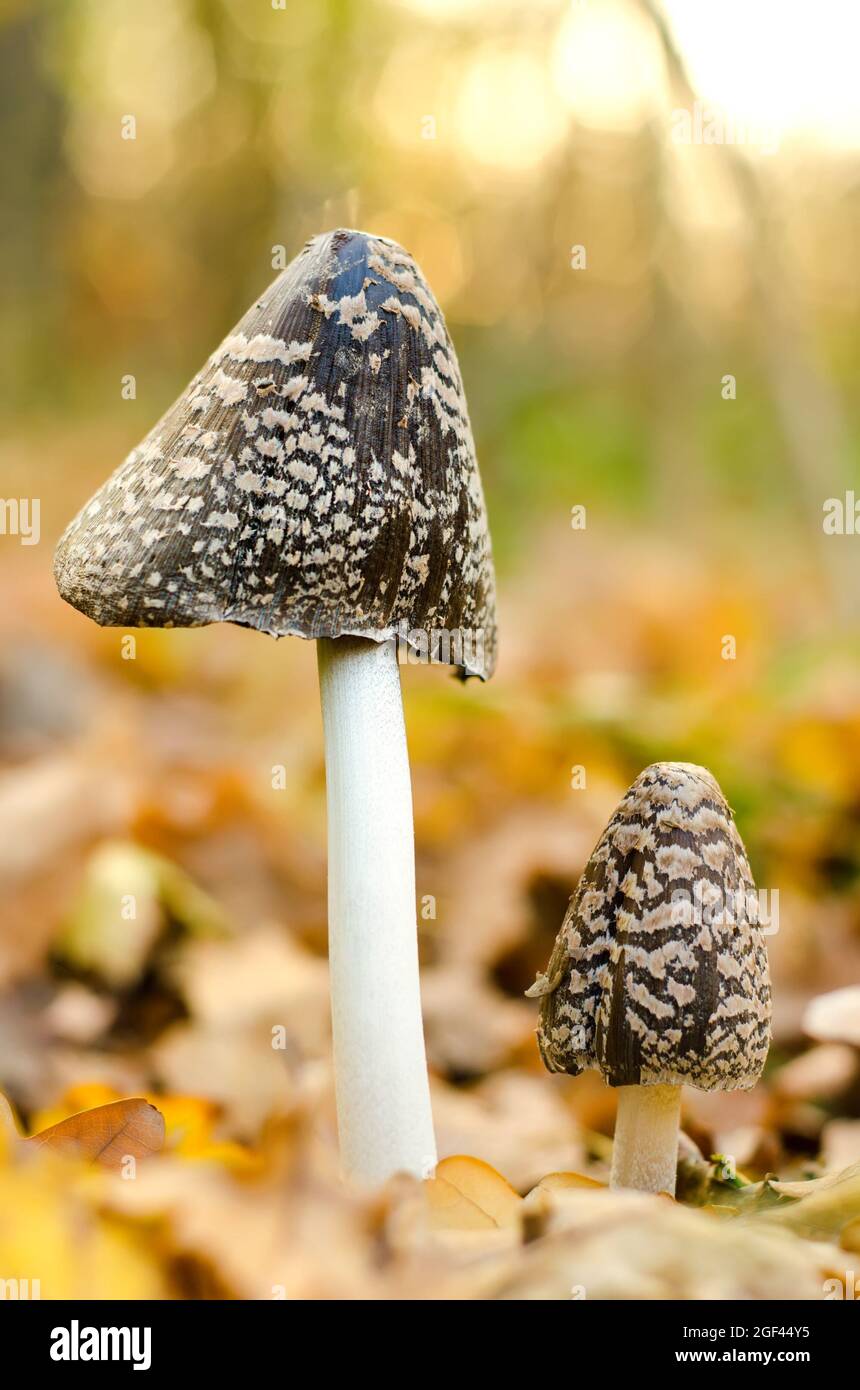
(384, 1109)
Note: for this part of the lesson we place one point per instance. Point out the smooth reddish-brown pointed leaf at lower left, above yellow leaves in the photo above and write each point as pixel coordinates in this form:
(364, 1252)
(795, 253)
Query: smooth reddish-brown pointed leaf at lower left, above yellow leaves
(108, 1135)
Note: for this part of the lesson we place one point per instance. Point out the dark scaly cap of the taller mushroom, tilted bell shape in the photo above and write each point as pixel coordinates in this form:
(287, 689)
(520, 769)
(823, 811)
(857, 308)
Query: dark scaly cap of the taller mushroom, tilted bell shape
(317, 479)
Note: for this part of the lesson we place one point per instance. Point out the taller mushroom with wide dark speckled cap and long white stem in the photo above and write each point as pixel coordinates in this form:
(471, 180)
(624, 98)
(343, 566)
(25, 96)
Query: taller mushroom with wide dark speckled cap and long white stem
(319, 479)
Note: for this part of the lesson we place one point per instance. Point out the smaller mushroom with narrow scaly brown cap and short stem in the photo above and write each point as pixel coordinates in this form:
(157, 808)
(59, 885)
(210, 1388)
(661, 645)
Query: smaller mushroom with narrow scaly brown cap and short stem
(659, 975)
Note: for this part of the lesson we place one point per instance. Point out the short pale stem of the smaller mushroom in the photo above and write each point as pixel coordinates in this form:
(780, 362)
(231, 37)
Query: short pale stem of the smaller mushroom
(645, 1153)
